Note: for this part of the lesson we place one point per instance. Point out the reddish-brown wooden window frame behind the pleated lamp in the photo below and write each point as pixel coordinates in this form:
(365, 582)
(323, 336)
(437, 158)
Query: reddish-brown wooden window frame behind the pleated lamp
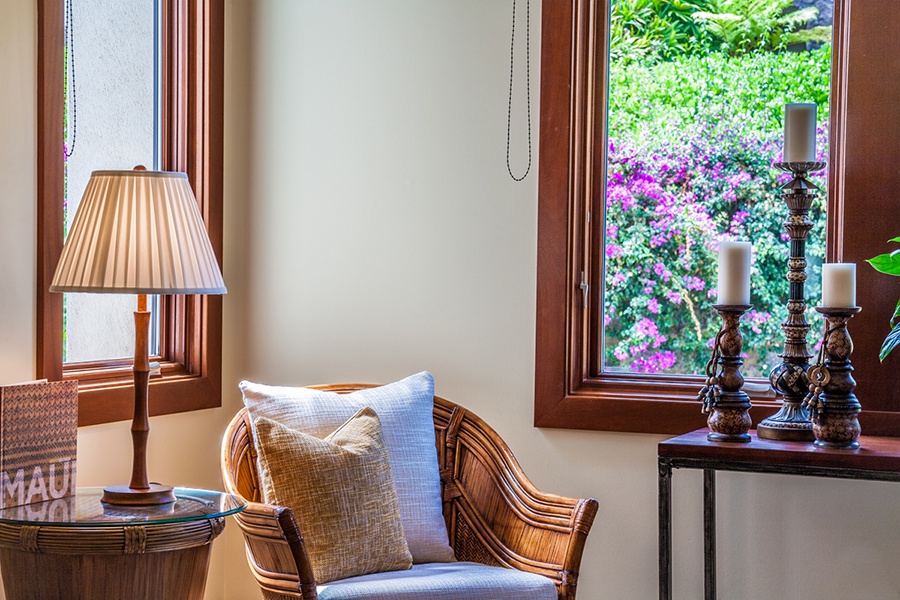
(192, 141)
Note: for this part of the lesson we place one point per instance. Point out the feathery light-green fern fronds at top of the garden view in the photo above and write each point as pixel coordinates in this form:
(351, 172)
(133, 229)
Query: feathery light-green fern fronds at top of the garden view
(744, 26)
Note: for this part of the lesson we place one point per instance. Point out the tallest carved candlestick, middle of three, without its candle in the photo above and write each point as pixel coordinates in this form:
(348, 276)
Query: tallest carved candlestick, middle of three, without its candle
(789, 379)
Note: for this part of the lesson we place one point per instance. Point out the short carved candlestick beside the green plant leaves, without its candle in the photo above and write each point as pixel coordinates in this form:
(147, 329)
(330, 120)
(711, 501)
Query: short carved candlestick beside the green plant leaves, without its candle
(835, 422)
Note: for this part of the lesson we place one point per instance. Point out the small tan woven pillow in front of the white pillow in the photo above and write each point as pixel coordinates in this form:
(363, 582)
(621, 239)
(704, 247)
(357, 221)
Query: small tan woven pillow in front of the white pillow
(341, 492)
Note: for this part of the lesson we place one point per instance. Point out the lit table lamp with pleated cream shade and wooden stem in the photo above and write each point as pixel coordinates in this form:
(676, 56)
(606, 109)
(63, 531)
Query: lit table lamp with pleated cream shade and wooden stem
(138, 232)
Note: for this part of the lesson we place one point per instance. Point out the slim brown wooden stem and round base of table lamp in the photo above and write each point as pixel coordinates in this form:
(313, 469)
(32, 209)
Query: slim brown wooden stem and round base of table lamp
(140, 491)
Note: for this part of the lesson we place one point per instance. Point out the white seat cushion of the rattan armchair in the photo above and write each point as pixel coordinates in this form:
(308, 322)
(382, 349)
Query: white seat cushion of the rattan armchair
(442, 581)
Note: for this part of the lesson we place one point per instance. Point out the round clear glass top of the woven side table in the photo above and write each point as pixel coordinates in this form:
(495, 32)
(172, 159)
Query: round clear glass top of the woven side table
(84, 509)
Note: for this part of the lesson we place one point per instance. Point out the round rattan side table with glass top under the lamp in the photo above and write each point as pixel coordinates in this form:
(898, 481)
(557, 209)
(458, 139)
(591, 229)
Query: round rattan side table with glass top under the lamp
(76, 547)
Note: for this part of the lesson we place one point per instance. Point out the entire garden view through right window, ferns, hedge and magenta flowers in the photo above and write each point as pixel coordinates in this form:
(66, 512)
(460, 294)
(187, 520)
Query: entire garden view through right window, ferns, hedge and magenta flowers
(697, 90)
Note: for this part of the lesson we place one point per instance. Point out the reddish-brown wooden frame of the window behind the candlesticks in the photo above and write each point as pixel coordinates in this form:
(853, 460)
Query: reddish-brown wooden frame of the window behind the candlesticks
(571, 188)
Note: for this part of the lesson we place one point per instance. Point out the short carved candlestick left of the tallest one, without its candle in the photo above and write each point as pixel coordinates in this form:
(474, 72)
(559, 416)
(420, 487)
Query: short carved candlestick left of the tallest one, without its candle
(728, 406)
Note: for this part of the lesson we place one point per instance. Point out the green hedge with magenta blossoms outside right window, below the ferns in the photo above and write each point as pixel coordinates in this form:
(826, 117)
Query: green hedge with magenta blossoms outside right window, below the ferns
(693, 170)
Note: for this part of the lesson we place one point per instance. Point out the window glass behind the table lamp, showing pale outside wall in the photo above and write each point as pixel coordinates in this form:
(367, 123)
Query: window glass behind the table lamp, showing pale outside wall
(110, 123)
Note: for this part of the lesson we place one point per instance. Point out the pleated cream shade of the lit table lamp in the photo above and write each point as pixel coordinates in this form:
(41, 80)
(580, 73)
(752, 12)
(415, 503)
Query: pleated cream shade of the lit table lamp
(138, 232)
